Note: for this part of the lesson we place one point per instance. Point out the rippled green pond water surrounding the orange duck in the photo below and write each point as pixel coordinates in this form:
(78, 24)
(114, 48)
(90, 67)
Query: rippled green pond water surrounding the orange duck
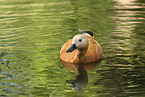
(33, 31)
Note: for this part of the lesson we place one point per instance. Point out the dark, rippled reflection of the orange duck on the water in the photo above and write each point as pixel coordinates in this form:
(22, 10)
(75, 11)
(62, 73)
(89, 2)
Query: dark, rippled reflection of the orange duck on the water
(81, 79)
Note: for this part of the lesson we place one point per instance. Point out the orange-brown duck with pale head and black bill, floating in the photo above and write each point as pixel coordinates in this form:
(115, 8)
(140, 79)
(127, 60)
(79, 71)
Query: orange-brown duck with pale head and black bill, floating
(81, 49)
